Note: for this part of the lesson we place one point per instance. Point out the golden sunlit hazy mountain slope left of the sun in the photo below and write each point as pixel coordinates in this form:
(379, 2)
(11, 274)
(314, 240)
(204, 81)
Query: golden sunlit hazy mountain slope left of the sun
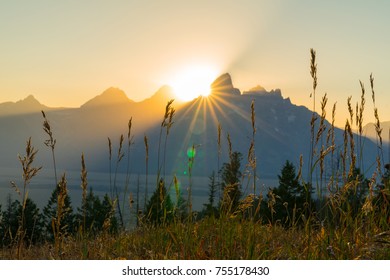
(77, 130)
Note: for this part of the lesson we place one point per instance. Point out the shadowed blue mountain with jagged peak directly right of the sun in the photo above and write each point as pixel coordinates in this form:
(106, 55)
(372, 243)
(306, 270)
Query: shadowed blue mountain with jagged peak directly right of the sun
(282, 132)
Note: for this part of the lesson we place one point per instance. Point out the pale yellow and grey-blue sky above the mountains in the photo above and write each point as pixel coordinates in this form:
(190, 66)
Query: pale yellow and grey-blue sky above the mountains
(67, 52)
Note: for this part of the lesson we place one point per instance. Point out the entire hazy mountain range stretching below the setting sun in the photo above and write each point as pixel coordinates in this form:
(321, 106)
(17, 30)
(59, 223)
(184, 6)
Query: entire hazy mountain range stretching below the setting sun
(282, 131)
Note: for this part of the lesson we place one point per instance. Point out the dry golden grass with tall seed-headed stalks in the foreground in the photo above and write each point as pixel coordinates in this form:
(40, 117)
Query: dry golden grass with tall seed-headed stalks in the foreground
(342, 224)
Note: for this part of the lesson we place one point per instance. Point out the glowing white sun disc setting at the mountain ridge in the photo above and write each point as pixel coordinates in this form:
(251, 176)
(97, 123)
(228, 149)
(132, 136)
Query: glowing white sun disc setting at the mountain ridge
(193, 81)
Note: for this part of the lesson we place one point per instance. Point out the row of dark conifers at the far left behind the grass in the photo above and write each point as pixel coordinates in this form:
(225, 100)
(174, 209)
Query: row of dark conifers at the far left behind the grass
(93, 217)
